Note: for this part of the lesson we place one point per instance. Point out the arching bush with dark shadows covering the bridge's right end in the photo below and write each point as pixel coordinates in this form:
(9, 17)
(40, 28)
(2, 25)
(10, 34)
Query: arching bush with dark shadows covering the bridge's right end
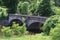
(51, 23)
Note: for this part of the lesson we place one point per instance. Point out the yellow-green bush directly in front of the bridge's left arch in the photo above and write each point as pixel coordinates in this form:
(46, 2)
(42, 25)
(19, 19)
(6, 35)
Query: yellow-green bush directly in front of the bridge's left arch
(18, 30)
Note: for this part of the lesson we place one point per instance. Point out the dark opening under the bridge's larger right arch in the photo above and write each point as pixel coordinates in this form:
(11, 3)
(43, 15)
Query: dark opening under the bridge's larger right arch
(35, 27)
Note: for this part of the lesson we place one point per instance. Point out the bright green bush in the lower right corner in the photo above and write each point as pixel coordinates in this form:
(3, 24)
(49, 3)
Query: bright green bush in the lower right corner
(55, 33)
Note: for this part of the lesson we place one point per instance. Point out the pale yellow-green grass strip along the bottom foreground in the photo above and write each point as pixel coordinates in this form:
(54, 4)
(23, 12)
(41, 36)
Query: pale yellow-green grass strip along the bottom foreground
(28, 37)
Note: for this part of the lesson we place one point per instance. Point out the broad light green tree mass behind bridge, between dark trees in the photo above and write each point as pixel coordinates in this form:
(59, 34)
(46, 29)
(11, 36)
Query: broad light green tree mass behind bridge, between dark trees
(29, 7)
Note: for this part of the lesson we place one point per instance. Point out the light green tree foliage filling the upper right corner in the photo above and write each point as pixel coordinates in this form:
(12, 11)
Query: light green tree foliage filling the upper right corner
(55, 6)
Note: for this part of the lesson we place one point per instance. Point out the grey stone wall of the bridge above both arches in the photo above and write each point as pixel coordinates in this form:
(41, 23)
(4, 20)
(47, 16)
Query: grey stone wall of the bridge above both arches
(27, 17)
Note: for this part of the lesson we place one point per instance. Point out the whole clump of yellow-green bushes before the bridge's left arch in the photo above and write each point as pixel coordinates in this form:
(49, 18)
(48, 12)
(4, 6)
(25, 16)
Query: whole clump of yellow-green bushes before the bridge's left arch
(14, 30)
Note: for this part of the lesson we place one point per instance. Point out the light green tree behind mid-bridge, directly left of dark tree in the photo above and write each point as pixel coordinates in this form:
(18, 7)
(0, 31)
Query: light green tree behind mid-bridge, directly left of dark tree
(33, 7)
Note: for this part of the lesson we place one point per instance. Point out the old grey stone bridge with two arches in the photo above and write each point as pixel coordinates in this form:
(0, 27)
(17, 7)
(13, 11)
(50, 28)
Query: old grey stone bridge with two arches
(32, 22)
